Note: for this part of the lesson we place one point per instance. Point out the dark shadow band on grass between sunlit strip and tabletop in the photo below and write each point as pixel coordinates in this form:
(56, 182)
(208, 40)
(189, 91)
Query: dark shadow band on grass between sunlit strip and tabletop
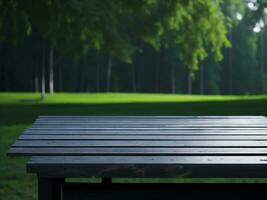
(25, 114)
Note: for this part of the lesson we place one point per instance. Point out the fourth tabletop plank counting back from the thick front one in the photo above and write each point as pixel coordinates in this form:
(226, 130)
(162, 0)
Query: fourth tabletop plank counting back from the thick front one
(144, 137)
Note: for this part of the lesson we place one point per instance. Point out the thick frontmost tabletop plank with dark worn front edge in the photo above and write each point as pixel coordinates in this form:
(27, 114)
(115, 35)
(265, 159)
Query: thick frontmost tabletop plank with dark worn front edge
(149, 166)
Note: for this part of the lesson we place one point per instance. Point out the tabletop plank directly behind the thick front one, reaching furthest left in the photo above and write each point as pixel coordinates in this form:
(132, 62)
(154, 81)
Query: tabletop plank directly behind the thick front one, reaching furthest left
(136, 151)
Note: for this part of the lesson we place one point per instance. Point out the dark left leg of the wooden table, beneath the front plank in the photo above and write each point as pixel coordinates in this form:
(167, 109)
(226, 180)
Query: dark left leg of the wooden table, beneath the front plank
(50, 188)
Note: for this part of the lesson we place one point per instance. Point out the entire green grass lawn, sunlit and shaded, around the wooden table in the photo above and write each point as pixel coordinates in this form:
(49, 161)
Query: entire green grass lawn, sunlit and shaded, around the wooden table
(18, 110)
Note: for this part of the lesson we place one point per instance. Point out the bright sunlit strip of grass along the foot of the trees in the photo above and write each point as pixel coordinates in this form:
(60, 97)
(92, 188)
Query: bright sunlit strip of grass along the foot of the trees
(98, 98)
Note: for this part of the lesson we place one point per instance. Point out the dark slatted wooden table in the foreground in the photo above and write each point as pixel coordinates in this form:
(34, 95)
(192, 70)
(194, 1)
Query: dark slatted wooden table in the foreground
(140, 146)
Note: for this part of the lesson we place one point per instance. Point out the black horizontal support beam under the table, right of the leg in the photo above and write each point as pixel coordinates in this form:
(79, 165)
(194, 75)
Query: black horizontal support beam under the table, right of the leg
(159, 191)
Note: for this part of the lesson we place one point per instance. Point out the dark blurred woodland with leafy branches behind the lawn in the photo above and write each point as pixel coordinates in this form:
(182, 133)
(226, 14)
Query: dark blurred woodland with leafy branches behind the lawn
(132, 46)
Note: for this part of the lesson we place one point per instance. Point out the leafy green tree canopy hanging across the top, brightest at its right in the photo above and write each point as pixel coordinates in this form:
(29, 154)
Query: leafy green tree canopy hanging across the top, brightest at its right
(74, 26)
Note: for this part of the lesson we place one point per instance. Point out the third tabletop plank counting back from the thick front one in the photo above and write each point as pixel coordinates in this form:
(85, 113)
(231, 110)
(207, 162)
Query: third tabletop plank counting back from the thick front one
(40, 143)
